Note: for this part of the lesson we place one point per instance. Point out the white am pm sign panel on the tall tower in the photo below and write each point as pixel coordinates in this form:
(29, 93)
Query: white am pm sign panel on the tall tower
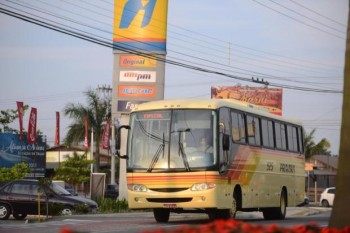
(138, 76)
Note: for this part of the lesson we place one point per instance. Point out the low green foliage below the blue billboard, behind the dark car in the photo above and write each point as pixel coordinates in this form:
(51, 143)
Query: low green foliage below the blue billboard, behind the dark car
(18, 171)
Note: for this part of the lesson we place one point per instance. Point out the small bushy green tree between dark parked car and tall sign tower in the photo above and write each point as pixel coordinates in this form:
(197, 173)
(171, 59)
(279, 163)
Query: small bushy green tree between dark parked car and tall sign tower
(75, 170)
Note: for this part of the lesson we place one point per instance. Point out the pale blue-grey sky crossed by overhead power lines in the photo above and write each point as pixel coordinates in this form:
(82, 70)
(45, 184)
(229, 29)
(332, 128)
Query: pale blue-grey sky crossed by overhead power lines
(299, 43)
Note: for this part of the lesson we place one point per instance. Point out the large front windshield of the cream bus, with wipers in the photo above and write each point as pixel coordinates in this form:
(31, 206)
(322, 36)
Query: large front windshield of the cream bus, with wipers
(172, 139)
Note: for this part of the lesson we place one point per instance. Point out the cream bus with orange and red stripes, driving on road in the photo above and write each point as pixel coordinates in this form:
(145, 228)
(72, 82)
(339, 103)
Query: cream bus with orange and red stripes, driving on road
(254, 161)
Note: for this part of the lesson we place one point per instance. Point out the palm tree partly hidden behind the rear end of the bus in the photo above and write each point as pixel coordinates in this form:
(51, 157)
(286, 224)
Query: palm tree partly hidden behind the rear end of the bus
(311, 148)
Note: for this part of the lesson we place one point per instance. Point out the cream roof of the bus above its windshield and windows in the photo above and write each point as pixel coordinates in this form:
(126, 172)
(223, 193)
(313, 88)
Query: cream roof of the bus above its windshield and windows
(209, 104)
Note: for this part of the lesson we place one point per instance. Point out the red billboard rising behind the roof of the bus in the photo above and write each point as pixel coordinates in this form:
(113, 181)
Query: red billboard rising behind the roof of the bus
(270, 98)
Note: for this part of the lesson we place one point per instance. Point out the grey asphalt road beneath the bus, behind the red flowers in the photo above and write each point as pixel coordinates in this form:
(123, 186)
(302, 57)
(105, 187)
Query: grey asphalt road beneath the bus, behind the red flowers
(137, 222)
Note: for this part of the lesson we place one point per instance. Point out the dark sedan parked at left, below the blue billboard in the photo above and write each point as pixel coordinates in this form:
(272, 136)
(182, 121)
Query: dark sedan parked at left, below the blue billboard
(20, 198)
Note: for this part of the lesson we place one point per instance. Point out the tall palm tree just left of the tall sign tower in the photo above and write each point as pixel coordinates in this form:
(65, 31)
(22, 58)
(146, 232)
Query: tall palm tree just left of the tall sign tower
(97, 111)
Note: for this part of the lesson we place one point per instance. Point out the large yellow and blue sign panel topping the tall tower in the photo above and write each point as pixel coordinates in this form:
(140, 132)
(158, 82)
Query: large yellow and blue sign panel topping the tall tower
(140, 25)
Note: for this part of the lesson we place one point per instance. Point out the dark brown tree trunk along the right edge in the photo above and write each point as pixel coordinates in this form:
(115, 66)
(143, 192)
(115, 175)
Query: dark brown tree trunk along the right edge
(339, 218)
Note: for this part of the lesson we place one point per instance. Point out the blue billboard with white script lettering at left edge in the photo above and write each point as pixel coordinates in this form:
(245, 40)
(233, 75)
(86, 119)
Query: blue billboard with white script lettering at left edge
(13, 151)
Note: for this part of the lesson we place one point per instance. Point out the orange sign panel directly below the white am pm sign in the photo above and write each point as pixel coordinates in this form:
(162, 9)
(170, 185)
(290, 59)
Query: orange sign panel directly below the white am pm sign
(136, 91)
